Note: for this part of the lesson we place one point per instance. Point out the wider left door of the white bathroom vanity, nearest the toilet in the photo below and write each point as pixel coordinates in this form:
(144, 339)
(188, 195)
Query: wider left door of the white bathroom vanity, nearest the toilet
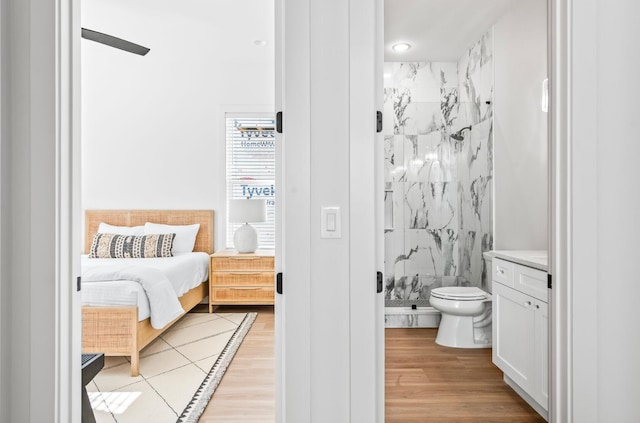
(513, 335)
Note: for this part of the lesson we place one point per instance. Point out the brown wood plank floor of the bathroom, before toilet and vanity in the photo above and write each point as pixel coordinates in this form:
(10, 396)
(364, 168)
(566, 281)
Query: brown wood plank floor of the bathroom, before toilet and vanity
(427, 383)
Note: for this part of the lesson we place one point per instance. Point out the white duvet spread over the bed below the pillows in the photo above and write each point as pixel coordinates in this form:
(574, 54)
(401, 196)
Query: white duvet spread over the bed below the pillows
(153, 284)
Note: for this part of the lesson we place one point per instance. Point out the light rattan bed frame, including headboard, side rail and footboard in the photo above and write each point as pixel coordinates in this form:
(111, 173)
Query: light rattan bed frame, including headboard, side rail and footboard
(117, 330)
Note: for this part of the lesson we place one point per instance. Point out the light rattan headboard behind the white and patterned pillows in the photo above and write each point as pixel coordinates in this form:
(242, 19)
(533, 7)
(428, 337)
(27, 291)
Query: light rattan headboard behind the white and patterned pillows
(204, 239)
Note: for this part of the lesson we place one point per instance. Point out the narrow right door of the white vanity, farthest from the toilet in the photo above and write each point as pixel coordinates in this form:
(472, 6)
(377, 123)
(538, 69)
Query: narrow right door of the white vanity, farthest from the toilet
(541, 391)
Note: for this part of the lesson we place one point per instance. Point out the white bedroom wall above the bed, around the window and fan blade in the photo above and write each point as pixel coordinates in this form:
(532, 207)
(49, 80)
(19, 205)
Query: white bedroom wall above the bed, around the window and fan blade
(151, 125)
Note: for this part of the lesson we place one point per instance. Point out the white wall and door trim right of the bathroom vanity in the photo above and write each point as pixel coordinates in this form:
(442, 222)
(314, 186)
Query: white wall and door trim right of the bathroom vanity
(595, 211)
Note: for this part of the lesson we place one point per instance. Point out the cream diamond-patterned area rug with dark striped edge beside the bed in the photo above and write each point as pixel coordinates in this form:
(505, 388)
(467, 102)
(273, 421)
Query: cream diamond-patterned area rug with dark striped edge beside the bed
(179, 371)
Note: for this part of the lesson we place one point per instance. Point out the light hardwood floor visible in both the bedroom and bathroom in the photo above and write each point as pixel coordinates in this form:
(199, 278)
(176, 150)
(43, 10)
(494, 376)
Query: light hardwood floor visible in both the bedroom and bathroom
(425, 382)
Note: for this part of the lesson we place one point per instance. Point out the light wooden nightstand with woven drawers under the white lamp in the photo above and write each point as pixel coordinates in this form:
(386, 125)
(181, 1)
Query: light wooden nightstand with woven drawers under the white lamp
(236, 278)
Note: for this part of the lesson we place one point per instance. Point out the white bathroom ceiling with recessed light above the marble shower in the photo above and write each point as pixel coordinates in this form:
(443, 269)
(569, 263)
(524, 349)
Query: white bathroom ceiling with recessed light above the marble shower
(438, 30)
